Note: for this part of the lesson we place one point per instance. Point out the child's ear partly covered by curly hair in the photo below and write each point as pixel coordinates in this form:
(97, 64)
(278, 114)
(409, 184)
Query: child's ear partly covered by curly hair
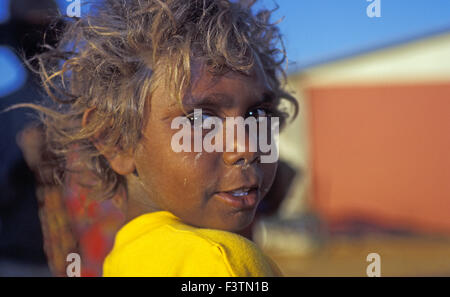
(120, 161)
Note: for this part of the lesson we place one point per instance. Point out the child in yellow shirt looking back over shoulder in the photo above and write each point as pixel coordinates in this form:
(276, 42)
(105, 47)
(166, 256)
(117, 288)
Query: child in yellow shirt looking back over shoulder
(120, 78)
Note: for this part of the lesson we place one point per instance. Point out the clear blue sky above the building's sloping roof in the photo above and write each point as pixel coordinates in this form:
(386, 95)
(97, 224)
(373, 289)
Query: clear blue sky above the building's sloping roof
(316, 31)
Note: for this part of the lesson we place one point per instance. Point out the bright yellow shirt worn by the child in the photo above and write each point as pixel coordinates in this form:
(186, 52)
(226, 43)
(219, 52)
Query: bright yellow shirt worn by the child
(160, 244)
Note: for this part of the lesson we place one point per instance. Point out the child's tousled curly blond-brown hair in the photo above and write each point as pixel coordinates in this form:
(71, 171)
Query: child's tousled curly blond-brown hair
(113, 59)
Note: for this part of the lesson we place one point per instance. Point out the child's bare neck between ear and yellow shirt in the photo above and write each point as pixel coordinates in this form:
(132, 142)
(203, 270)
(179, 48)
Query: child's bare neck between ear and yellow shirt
(138, 202)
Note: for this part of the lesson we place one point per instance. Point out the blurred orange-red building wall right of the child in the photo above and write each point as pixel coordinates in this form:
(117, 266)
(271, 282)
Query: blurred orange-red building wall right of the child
(382, 153)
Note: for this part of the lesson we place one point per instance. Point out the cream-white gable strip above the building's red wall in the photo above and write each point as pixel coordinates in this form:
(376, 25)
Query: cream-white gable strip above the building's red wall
(423, 61)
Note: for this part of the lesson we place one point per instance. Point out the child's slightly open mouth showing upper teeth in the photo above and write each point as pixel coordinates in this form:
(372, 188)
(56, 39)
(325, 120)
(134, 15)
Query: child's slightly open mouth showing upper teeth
(242, 198)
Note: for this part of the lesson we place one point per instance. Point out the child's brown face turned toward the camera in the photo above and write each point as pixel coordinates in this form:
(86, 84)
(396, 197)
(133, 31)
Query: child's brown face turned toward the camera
(193, 186)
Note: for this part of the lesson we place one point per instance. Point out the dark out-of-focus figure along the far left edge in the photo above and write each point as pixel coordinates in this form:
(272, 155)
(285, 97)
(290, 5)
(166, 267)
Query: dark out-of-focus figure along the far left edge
(20, 235)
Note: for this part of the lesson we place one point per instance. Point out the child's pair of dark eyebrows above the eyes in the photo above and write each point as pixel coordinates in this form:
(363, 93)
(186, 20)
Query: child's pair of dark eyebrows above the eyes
(224, 100)
